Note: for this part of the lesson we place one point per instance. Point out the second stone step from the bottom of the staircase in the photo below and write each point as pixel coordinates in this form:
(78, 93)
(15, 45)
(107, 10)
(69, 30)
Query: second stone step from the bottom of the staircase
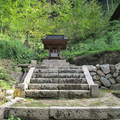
(56, 86)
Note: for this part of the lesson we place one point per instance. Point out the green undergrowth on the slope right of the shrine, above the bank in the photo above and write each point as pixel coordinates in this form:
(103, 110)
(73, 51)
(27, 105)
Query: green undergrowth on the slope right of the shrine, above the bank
(108, 40)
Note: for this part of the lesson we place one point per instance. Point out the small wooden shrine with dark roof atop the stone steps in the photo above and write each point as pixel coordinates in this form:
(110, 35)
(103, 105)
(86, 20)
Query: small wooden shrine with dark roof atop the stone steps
(55, 43)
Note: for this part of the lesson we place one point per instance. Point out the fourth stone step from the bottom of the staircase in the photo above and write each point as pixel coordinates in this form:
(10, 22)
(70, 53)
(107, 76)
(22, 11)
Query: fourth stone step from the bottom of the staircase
(56, 75)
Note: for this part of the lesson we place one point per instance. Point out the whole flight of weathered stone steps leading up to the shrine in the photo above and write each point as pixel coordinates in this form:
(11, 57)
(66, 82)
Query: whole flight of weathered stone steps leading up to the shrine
(57, 79)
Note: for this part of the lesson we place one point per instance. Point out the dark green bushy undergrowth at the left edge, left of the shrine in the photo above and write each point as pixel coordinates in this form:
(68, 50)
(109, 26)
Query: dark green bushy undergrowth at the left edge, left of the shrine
(16, 50)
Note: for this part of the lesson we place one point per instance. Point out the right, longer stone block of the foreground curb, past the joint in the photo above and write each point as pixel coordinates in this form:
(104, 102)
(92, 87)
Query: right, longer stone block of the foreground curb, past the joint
(78, 113)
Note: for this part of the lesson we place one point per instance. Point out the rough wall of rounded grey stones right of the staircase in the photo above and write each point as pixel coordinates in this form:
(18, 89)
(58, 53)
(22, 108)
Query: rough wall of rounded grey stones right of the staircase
(106, 76)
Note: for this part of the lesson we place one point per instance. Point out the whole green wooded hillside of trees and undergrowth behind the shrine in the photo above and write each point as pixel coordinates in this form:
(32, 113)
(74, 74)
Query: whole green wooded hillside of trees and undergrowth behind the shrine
(85, 22)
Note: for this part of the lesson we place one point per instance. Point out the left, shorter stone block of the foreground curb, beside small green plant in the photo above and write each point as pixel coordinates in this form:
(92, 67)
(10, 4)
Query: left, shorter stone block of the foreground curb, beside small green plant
(26, 113)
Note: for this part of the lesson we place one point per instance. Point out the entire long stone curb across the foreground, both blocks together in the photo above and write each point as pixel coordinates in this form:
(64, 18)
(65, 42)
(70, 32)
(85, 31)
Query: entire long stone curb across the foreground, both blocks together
(63, 113)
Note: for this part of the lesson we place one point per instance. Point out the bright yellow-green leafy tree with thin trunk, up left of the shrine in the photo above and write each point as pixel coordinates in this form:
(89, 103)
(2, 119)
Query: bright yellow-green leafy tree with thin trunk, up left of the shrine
(26, 15)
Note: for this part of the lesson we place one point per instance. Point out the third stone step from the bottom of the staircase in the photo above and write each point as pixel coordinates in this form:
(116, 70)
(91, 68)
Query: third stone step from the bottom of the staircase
(58, 80)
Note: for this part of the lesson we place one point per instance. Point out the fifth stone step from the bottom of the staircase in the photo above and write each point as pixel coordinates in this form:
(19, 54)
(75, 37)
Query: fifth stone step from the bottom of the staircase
(58, 71)
